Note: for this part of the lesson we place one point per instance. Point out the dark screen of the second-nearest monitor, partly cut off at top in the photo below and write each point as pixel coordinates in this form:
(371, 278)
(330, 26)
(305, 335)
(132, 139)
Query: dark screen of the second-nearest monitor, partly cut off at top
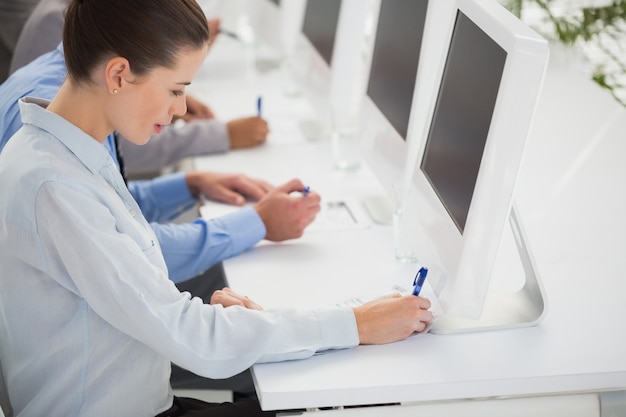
(395, 59)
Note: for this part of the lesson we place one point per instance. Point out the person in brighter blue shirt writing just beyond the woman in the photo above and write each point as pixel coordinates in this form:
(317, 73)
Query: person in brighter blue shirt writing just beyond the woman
(189, 249)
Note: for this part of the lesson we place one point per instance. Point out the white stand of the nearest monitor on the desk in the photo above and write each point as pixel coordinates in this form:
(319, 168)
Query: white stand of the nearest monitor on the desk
(522, 308)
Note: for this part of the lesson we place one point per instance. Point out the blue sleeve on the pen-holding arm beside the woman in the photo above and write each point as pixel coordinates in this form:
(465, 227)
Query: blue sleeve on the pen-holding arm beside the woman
(192, 248)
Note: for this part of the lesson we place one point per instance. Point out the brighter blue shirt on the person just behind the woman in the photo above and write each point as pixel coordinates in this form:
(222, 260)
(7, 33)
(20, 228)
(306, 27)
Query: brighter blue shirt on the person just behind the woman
(189, 249)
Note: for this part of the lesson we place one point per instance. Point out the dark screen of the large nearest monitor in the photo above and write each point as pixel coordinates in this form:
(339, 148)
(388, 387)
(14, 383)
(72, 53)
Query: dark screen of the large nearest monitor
(462, 116)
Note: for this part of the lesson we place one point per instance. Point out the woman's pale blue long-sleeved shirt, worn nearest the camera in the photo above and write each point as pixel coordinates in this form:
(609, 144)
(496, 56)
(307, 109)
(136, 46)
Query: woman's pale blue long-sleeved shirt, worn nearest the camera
(89, 320)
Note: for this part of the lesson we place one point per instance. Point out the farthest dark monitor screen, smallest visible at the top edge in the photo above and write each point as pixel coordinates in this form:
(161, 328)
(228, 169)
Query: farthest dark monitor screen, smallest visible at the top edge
(320, 25)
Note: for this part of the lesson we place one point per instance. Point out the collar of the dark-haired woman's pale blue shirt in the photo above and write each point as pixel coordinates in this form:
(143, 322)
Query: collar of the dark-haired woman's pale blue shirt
(87, 149)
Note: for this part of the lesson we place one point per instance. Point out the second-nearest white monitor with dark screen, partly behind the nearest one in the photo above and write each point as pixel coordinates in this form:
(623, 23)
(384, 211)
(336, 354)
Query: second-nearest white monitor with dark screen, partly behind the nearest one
(389, 102)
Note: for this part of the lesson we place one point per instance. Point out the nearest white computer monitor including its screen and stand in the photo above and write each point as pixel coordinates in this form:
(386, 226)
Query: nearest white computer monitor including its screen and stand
(465, 150)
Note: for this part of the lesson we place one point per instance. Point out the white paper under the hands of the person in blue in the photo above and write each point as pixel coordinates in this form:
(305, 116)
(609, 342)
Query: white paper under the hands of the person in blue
(335, 214)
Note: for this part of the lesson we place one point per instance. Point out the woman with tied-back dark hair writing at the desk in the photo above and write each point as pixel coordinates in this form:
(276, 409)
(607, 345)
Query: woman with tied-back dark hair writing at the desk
(83, 270)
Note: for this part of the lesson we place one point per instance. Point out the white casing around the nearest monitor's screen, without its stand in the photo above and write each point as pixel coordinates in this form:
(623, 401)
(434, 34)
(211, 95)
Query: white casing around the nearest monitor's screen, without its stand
(461, 265)
